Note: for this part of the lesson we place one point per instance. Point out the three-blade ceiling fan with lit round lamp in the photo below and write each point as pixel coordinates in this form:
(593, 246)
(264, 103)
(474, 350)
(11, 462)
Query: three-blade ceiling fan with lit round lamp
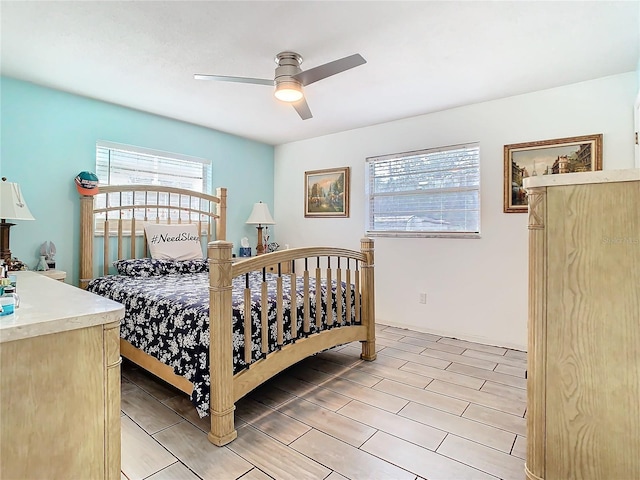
(290, 78)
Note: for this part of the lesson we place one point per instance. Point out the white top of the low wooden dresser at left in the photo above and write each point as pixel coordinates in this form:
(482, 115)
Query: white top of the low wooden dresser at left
(50, 306)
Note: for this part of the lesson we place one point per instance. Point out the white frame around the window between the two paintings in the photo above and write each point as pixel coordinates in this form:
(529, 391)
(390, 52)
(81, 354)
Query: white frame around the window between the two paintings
(370, 197)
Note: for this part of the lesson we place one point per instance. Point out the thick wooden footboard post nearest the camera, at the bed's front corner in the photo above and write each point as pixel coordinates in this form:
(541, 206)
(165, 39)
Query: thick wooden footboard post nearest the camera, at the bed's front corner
(221, 348)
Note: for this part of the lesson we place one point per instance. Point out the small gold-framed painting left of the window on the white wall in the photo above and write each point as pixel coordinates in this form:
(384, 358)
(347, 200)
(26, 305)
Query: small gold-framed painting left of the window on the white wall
(326, 193)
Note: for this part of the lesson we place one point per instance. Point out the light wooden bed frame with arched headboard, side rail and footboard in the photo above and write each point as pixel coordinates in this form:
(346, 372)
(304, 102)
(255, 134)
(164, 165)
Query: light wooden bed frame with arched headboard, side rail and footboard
(118, 213)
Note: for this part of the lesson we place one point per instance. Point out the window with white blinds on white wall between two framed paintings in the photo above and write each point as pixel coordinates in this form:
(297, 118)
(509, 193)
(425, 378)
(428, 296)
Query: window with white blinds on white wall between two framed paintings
(433, 192)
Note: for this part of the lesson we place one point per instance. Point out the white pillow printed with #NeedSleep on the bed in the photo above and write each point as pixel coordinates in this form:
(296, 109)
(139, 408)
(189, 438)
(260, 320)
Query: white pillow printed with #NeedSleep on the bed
(174, 242)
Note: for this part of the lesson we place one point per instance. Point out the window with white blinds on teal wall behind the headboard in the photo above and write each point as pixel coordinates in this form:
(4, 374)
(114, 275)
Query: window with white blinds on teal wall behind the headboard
(118, 164)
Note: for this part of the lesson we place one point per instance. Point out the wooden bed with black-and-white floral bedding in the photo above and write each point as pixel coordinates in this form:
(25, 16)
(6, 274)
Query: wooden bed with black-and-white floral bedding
(218, 327)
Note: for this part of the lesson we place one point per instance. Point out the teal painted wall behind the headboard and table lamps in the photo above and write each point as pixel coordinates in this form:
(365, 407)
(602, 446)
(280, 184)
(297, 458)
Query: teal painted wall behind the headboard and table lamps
(49, 136)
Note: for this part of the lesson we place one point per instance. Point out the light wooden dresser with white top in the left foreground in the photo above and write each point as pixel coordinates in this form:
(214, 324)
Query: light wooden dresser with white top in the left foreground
(60, 383)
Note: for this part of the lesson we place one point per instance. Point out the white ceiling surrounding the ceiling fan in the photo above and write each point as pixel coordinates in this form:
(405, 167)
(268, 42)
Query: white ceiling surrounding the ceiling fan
(422, 56)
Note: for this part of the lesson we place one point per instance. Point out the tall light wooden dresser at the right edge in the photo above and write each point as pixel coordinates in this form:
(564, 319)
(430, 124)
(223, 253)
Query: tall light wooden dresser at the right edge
(583, 414)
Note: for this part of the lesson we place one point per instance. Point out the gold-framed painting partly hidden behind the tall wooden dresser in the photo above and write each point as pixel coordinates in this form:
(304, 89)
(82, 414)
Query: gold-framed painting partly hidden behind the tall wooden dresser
(546, 157)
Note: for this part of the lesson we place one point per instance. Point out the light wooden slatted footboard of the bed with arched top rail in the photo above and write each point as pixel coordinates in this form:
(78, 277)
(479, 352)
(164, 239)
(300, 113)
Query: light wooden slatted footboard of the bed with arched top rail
(352, 268)
